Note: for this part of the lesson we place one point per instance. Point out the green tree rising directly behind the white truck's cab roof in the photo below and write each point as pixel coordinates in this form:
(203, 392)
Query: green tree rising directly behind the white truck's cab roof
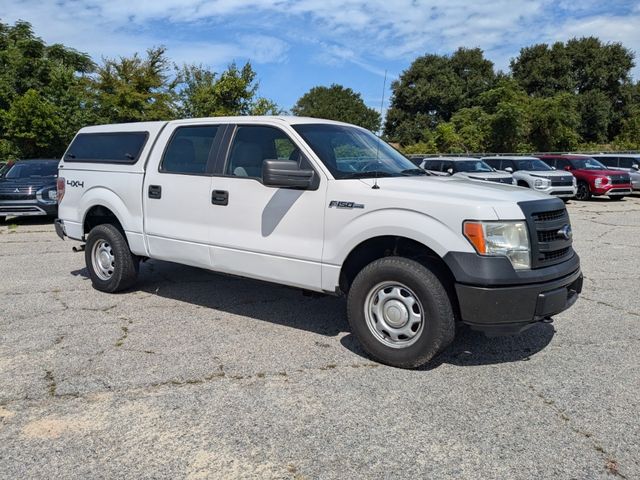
(204, 93)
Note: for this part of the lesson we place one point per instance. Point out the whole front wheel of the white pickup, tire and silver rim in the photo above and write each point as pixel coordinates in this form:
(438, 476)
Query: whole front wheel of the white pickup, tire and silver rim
(400, 312)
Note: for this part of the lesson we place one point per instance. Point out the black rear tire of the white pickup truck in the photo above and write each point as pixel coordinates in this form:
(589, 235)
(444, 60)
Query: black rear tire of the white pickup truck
(125, 264)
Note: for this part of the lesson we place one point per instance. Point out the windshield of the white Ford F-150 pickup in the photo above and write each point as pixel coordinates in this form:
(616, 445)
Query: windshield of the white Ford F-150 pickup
(350, 152)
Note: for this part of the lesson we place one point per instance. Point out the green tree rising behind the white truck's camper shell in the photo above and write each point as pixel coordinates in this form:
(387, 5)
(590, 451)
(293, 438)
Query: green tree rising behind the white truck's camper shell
(135, 89)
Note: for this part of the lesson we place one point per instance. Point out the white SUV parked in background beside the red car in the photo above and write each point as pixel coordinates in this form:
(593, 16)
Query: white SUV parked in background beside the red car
(531, 172)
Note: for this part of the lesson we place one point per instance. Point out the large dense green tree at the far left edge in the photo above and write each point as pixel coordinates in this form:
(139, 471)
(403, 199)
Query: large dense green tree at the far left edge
(40, 79)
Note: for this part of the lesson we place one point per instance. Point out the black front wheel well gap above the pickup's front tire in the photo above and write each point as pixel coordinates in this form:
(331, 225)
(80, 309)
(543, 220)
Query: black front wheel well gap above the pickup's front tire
(386, 246)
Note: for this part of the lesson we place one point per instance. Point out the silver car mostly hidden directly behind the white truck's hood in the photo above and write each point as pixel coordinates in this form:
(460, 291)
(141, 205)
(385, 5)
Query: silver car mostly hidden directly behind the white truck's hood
(471, 168)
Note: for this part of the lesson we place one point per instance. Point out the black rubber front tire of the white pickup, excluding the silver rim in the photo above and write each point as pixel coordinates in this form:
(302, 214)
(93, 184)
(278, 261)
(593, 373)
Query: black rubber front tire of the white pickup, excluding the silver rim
(438, 319)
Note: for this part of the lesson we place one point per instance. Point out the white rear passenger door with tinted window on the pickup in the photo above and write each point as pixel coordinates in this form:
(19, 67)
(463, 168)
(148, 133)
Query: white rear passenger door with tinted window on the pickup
(177, 193)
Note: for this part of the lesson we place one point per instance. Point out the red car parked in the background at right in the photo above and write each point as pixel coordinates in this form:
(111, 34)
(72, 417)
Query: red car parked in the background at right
(594, 178)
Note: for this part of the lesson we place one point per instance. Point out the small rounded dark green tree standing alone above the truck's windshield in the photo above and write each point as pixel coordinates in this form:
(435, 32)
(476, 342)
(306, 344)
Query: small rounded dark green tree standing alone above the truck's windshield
(337, 103)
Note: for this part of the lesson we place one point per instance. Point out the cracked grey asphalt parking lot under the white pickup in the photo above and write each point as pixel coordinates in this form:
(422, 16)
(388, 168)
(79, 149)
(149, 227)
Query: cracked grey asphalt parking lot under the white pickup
(199, 375)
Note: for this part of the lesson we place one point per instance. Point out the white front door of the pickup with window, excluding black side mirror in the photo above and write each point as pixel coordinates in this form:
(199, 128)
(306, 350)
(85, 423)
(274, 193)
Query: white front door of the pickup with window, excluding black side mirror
(263, 232)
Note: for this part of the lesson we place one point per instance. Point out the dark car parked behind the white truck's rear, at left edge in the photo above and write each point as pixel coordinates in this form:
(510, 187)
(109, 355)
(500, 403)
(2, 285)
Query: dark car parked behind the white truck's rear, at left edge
(28, 188)
